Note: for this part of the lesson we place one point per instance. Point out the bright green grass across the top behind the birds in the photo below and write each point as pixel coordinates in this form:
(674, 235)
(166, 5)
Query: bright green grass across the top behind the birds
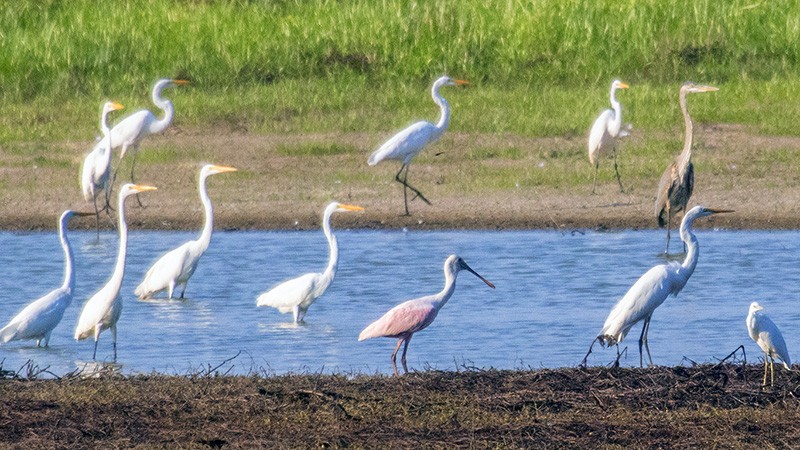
(292, 66)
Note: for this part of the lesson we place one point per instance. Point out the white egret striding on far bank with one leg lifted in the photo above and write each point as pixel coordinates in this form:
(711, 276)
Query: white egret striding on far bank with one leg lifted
(407, 143)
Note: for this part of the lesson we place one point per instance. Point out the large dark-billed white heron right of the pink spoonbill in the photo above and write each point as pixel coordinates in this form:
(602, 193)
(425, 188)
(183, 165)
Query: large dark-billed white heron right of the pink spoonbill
(651, 290)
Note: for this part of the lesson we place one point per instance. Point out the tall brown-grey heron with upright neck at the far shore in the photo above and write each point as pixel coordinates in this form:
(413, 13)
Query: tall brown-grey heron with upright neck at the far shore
(677, 182)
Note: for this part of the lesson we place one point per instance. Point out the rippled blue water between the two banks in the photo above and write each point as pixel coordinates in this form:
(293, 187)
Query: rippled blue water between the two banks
(553, 293)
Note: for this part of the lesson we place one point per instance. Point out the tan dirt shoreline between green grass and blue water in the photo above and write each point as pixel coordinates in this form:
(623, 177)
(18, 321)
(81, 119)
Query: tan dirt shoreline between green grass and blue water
(276, 189)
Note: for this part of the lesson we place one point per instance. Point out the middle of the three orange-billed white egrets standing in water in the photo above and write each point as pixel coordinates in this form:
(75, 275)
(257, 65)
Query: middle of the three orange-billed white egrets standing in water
(177, 266)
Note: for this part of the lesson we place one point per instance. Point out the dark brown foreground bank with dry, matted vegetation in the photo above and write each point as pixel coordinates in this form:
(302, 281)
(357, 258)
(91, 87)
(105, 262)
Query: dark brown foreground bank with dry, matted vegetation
(681, 407)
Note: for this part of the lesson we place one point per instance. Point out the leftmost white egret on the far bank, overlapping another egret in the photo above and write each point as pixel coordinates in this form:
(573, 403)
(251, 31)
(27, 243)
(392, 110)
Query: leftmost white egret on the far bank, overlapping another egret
(97, 165)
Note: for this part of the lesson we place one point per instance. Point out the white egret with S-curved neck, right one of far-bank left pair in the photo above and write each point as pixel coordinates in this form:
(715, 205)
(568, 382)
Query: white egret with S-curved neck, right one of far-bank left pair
(130, 131)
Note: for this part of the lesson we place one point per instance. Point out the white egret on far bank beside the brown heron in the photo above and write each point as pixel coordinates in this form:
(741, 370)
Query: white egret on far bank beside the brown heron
(605, 131)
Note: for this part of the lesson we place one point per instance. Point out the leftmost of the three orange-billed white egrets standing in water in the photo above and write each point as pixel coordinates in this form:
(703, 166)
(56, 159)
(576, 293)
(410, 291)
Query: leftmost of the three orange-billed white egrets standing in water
(103, 309)
